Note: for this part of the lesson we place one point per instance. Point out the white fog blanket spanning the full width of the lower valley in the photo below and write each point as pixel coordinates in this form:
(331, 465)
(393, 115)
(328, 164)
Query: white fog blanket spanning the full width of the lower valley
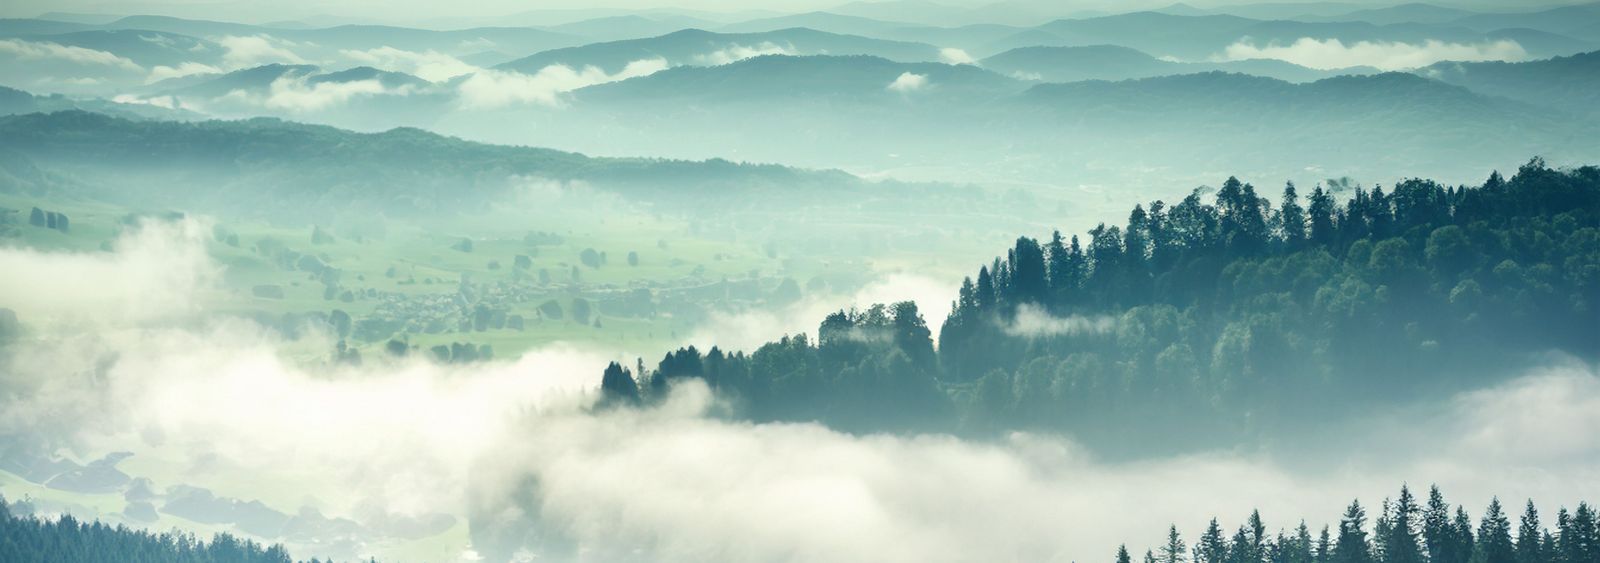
(231, 405)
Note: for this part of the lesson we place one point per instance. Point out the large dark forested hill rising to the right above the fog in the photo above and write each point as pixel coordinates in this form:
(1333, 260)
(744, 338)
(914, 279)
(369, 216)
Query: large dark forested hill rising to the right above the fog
(1214, 317)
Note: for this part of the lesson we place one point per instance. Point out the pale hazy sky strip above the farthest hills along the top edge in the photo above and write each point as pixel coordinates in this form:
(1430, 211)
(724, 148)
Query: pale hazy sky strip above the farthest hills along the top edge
(260, 12)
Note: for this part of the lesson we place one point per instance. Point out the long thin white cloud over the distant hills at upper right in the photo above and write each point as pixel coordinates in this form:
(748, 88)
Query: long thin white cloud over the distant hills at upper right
(1383, 55)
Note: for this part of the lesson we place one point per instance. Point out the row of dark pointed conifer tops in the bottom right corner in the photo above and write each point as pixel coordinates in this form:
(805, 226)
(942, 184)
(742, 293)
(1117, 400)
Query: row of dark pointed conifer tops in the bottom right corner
(1404, 532)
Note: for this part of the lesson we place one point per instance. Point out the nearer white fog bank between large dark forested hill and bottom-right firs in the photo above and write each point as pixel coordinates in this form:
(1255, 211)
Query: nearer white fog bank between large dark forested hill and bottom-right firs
(674, 485)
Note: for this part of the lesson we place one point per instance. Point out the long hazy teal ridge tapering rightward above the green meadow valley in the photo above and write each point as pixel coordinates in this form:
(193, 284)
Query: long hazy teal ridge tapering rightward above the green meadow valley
(271, 166)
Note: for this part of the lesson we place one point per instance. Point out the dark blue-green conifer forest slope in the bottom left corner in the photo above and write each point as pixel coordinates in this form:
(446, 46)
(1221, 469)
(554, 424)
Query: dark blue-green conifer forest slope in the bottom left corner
(68, 540)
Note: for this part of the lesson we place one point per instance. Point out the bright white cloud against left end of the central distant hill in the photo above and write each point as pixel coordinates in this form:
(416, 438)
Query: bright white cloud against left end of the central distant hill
(502, 89)
